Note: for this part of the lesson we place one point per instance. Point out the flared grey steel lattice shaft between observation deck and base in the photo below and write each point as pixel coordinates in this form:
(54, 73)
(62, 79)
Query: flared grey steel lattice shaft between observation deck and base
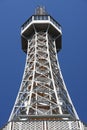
(42, 90)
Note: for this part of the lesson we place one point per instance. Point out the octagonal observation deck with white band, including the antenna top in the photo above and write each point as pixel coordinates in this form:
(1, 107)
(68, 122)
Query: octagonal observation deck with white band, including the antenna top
(41, 21)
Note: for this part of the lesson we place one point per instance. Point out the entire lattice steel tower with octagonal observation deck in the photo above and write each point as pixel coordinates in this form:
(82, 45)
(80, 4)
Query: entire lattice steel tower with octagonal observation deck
(43, 102)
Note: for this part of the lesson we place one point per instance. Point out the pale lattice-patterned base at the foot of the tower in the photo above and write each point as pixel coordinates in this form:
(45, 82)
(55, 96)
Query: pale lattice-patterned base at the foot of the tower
(44, 123)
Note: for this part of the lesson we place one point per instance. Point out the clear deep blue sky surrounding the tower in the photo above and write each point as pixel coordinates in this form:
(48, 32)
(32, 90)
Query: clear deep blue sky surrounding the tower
(72, 15)
